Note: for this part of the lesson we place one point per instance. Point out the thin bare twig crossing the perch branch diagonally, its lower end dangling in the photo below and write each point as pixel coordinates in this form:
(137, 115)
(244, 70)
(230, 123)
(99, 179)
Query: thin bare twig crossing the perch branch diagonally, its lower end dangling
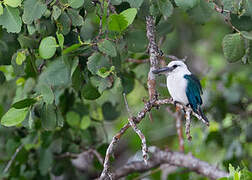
(137, 130)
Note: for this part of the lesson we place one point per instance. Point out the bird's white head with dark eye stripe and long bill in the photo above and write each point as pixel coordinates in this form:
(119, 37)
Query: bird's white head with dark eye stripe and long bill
(173, 67)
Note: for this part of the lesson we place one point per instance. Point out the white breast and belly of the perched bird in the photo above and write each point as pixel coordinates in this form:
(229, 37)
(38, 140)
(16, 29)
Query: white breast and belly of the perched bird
(176, 84)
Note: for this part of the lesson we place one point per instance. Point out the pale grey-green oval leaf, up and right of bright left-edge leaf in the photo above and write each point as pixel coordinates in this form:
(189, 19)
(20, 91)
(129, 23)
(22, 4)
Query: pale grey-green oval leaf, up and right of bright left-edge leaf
(46, 92)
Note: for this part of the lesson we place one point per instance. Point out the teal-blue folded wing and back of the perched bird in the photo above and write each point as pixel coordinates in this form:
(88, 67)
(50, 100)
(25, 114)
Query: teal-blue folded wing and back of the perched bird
(193, 91)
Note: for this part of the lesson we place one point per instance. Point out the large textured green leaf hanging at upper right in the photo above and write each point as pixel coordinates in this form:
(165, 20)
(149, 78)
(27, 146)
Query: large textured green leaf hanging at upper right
(233, 47)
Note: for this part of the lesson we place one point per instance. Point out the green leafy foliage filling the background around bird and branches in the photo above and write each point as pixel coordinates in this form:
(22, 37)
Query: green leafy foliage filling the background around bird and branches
(63, 69)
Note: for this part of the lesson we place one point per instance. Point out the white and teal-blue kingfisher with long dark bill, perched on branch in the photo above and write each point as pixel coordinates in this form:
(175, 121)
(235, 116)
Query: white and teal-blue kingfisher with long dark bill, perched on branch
(183, 86)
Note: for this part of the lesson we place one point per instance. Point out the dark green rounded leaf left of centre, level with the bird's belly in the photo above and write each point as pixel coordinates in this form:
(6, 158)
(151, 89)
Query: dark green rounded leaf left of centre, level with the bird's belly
(90, 92)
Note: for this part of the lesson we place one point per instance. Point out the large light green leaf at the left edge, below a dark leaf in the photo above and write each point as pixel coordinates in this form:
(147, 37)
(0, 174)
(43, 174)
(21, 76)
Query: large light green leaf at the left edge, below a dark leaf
(14, 117)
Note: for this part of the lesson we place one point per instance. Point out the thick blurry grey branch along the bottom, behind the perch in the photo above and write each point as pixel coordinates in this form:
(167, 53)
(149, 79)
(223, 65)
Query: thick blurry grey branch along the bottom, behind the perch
(159, 157)
